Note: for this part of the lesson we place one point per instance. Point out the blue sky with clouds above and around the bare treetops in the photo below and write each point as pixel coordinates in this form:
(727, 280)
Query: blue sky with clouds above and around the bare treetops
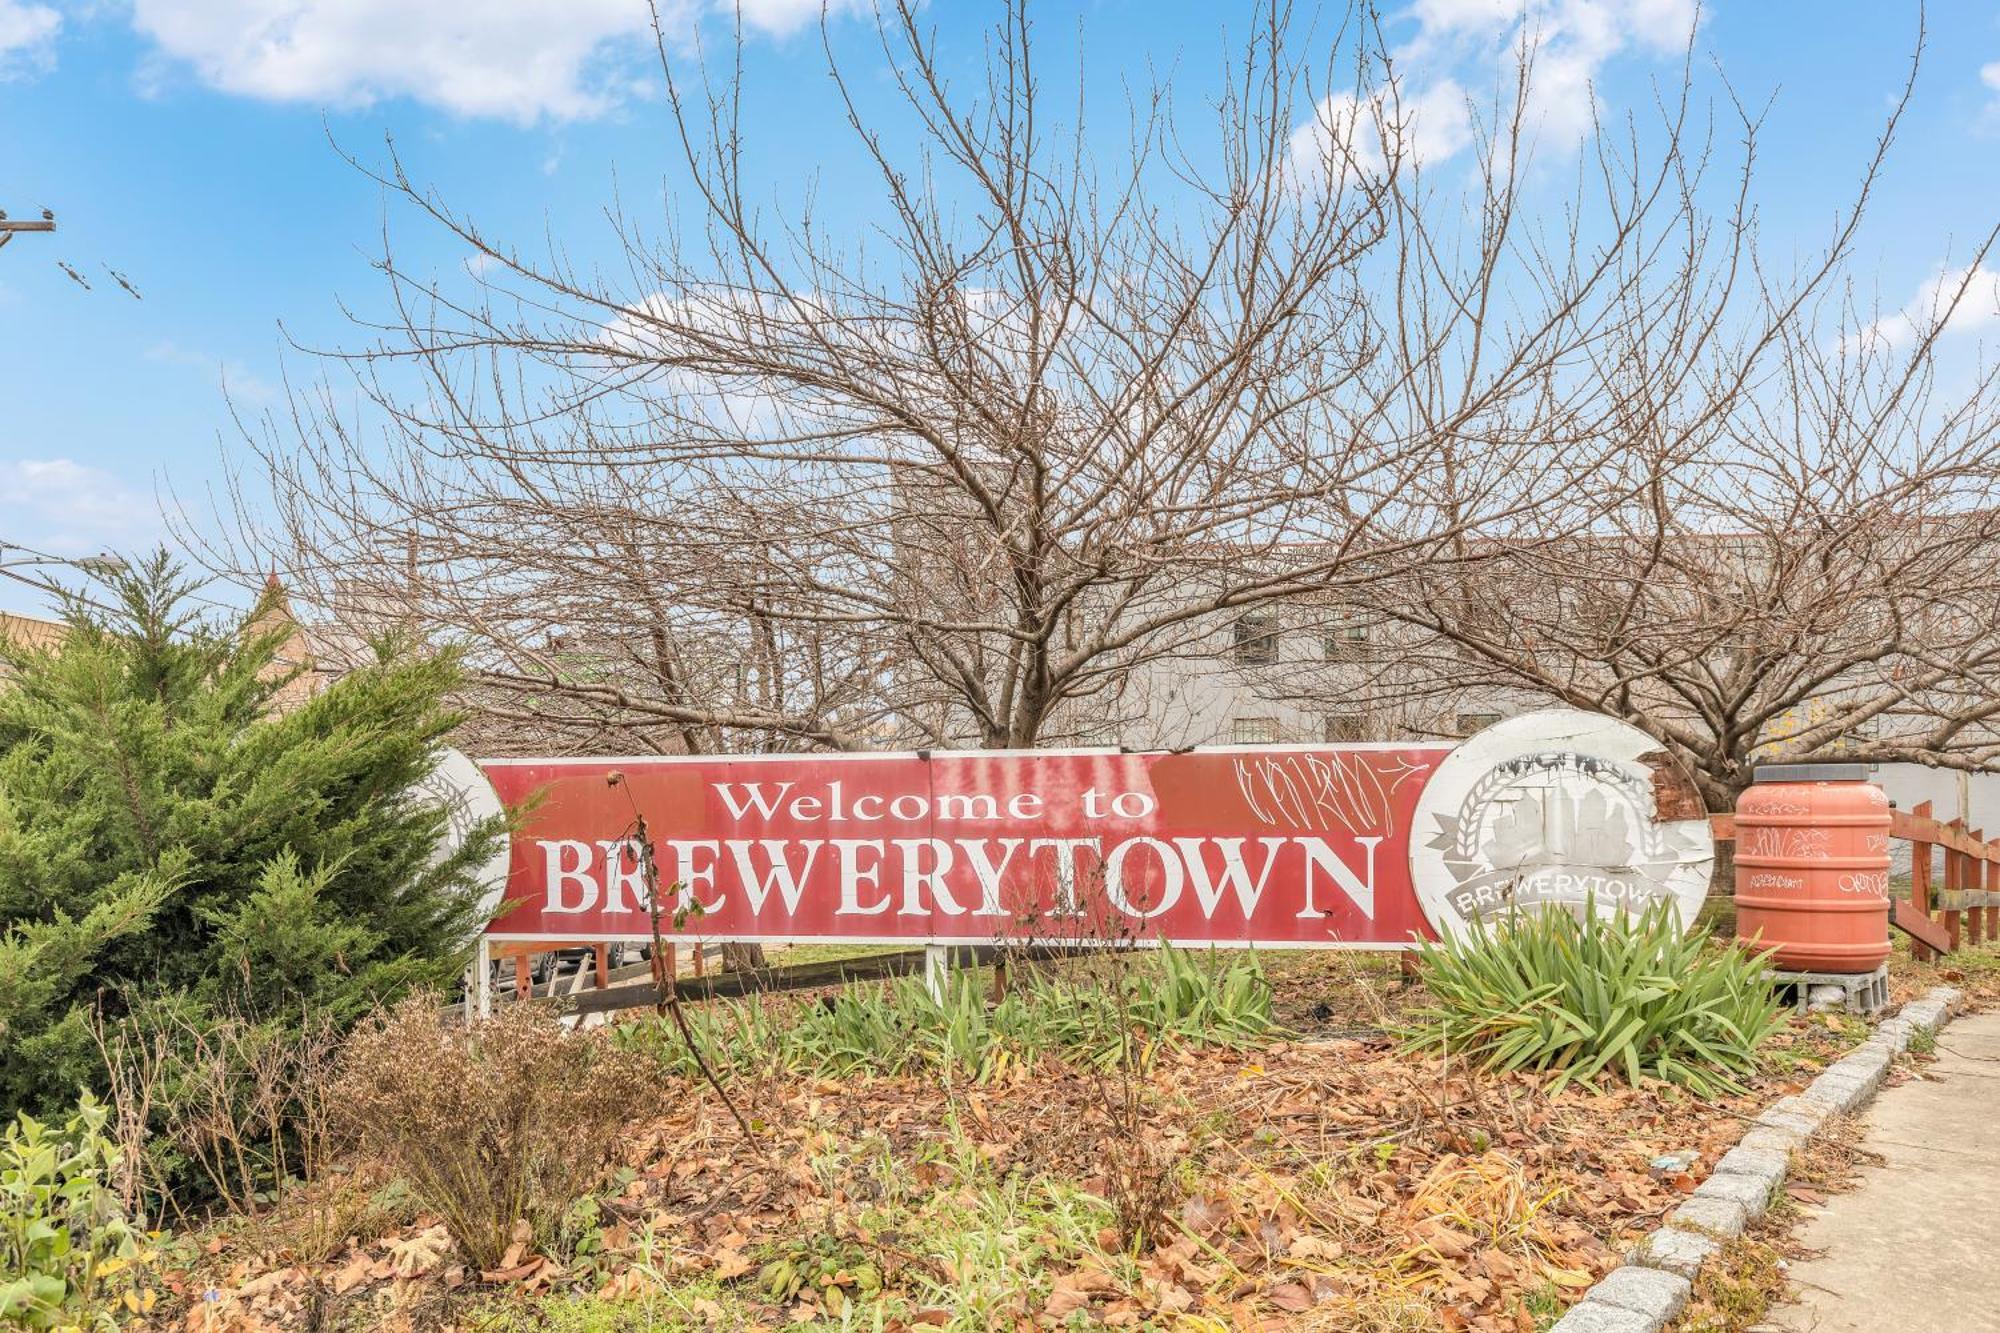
(187, 145)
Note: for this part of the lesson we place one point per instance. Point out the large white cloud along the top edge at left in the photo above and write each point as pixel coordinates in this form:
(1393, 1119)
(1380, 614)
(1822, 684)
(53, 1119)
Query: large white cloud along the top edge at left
(521, 61)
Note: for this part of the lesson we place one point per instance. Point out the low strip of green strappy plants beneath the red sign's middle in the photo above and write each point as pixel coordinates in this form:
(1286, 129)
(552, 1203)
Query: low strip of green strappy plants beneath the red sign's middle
(1085, 1014)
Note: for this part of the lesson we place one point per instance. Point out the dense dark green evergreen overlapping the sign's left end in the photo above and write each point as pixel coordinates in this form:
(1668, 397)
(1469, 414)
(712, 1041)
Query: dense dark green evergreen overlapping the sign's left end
(167, 836)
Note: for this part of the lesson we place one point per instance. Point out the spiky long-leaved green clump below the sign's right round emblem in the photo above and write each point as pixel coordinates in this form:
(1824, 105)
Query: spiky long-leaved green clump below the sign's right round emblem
(1605, 994)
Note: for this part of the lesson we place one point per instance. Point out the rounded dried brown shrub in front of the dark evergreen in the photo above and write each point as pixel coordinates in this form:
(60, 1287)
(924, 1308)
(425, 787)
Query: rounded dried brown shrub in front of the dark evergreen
(491, 1126)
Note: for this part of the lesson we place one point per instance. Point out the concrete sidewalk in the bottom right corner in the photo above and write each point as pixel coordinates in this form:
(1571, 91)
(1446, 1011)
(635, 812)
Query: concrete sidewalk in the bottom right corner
(1913, 1246)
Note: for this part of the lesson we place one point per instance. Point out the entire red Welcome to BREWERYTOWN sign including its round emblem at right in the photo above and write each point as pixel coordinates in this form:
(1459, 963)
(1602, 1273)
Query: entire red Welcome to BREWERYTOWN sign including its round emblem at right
(1303, 848)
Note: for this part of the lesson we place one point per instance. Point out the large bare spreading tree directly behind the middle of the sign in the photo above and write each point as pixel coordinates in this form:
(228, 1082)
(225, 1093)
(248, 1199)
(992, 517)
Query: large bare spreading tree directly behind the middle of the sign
(1055, 421)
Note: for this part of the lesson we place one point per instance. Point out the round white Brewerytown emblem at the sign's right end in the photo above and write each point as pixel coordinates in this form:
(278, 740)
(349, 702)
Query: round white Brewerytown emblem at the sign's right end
(1559, 810)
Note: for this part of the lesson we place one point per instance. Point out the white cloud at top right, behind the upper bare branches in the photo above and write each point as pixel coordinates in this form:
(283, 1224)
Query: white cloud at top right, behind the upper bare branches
(1469, 49)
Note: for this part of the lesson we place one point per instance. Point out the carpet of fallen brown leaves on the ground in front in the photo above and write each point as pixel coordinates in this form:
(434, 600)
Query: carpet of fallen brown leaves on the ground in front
(1337, 1186)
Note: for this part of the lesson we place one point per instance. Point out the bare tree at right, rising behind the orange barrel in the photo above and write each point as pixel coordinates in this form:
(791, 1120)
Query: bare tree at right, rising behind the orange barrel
(1803, 555)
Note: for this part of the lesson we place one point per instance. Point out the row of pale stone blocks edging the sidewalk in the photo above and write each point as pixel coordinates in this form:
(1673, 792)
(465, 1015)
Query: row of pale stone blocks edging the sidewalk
(1657, 1280)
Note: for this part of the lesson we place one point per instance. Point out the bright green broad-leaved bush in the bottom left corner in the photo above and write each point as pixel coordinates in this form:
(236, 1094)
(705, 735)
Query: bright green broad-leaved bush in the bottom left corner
(67, 1252)
